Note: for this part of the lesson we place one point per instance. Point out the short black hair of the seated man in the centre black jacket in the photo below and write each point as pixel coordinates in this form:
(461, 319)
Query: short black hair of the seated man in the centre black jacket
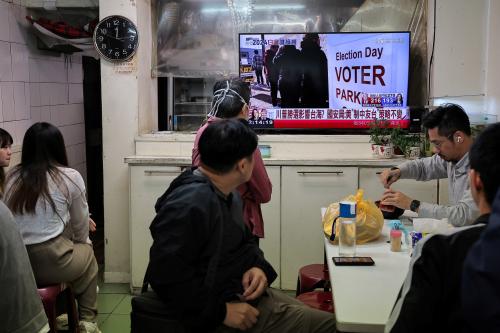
(225, 142)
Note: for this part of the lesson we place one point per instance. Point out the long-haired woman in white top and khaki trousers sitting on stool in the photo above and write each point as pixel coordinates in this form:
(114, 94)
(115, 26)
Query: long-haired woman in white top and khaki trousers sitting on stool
(50, 208)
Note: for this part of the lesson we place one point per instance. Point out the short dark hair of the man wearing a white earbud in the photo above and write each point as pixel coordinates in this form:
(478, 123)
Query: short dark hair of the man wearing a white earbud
(448, 118)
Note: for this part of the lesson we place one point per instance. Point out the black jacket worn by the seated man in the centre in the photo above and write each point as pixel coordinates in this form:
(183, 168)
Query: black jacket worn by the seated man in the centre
(193, 219)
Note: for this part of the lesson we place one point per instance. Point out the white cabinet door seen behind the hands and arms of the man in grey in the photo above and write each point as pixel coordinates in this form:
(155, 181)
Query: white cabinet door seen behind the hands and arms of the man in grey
(370, 182)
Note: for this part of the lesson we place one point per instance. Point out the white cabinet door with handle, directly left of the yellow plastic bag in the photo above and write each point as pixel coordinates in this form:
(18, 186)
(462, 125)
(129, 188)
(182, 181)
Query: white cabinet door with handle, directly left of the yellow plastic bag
(304, 191)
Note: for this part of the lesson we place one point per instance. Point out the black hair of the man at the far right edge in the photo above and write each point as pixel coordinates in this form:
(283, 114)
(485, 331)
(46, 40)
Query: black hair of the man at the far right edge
(484, 157)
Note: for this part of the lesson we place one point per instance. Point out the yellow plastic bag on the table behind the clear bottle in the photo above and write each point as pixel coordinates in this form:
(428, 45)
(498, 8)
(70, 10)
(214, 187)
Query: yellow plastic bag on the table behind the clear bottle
(369, 219)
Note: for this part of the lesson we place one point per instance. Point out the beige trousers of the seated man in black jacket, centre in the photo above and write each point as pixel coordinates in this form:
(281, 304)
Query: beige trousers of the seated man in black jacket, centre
(282, 313)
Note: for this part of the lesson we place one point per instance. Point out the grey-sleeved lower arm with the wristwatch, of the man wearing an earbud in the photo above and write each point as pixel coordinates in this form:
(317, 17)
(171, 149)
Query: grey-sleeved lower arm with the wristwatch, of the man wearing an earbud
(463, 213)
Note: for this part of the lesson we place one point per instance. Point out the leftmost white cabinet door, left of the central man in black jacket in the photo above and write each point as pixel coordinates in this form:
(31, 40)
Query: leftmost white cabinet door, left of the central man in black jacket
(147, 183)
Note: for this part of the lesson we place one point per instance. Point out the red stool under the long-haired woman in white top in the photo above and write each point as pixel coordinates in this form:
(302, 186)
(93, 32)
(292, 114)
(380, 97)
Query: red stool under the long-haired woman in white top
(49, 295)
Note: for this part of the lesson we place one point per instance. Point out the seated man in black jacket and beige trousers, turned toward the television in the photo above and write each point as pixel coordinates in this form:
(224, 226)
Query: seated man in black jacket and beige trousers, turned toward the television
(204, 263)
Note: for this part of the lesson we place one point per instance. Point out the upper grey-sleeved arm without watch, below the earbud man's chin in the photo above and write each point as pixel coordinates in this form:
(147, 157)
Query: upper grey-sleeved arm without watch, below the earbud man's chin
(423, 169)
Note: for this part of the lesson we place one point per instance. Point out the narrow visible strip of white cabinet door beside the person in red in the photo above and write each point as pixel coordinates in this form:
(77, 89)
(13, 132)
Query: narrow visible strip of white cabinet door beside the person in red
(270, 244)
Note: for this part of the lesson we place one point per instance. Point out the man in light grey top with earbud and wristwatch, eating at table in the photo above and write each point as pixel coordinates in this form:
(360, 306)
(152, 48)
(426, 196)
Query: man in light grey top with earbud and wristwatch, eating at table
(449, 131)
